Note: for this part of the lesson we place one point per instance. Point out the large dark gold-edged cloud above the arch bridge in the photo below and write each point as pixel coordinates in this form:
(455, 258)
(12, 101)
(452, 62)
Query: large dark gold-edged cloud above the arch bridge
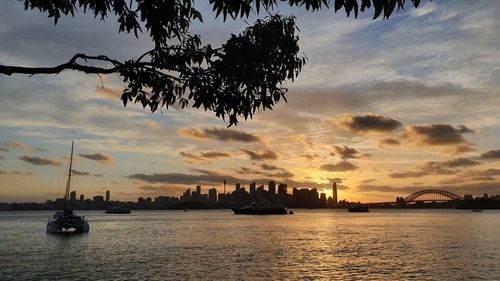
(441, 135)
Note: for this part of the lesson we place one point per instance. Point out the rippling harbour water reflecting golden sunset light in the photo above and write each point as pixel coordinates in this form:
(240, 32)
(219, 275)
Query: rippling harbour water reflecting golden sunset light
(217, 245)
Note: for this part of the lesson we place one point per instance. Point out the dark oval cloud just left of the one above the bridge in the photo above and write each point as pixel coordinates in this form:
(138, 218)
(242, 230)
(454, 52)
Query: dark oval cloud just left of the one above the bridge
(368, 123)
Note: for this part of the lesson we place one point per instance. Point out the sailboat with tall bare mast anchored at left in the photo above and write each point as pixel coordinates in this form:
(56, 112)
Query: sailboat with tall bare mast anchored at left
(66, 220)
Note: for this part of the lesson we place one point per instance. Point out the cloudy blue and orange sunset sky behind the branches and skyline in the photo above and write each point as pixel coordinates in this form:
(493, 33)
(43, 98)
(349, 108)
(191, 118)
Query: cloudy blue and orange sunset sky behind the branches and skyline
(384, 108)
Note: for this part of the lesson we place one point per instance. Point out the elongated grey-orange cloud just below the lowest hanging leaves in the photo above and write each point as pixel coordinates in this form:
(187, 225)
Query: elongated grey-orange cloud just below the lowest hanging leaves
(222, 134)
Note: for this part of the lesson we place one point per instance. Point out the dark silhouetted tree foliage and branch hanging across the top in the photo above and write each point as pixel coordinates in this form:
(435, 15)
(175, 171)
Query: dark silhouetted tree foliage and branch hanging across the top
(244, 75)
